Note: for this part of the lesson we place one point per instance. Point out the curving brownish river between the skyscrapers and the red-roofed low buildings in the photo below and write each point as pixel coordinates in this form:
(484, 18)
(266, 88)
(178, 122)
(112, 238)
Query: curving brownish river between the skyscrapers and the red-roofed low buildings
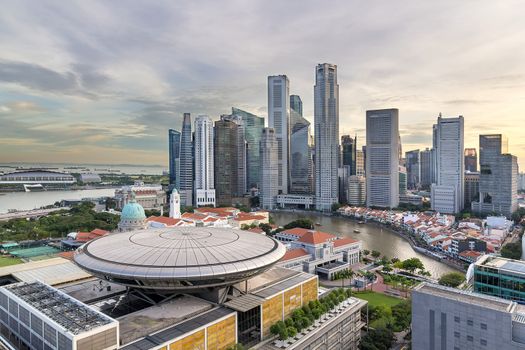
(372, 236)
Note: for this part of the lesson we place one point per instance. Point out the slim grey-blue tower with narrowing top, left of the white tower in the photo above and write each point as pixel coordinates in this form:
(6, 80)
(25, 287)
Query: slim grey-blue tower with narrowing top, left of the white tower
(186, 162)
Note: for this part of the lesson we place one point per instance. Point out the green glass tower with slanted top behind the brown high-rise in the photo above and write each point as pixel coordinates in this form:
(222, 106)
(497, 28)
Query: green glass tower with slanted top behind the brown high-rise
(253, 126)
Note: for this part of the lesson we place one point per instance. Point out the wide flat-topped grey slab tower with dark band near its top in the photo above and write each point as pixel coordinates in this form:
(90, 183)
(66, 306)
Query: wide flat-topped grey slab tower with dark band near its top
(382, 158)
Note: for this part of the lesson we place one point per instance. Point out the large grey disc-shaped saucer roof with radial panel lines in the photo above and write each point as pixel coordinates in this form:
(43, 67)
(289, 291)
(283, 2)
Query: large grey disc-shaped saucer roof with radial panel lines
(179, 258)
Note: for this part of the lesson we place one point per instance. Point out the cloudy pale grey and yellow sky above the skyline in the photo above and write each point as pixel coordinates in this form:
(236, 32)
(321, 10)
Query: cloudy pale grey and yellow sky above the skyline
(102, 81)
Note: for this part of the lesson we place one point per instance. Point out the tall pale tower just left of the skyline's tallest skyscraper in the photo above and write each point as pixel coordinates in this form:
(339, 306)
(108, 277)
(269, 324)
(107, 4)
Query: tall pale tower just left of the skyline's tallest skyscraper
(279, 120)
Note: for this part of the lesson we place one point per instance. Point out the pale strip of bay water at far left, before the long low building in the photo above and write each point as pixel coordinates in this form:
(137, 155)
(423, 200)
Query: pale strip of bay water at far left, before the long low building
(35, 200)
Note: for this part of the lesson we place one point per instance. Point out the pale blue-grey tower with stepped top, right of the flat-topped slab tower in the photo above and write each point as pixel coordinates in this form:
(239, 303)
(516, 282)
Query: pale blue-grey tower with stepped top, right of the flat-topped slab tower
(447, 192)
